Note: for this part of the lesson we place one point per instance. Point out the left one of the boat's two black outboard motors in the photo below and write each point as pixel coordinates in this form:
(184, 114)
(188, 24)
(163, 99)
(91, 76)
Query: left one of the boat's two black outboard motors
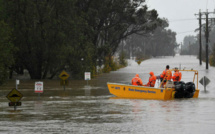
(179, 89)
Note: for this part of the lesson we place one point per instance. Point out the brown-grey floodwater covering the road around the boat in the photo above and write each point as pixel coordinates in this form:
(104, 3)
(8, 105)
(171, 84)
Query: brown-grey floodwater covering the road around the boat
(82, 109)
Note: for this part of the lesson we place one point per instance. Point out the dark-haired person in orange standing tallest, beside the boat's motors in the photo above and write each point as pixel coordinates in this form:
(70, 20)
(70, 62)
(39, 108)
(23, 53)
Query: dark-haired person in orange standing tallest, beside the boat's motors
(166, 75)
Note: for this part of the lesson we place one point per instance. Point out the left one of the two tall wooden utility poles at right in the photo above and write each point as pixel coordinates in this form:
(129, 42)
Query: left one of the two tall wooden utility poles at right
(200, 37)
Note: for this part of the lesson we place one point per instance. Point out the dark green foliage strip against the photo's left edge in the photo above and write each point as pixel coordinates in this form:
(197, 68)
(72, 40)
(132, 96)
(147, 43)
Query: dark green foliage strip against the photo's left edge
(6, 49)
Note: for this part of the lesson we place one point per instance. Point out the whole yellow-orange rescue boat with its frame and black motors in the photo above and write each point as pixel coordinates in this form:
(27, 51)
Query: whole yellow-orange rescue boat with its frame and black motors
(170, 91)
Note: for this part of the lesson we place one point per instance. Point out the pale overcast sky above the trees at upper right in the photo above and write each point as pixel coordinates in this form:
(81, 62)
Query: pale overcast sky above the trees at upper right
(180, 14)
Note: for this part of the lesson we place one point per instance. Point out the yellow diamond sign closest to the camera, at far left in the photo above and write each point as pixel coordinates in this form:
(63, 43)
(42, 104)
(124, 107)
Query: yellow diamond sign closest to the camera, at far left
(14, 95)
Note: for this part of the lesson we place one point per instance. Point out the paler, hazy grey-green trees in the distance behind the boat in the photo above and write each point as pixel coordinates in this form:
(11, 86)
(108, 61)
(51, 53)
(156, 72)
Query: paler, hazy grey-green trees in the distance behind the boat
(159, 42)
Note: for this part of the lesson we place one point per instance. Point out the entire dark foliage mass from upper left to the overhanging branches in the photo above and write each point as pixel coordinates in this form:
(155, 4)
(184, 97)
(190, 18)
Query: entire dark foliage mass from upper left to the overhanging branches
(54, 35)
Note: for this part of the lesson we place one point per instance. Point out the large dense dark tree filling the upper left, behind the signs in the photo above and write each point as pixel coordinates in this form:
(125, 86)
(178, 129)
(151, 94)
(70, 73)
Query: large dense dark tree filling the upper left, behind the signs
(48, 35)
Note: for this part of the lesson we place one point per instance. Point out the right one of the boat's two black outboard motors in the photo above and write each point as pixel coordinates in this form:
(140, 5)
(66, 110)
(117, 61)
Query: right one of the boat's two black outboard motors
(189, 90)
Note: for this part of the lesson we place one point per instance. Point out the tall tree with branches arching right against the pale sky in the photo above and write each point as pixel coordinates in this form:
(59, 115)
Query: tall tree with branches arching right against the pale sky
(112, 21)
